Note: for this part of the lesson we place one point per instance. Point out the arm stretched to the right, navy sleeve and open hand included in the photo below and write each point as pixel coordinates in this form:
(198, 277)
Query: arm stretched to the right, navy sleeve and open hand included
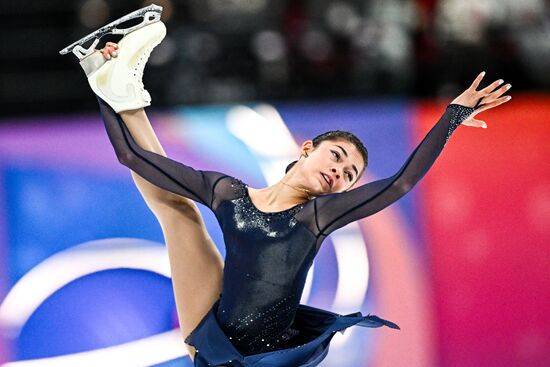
(337, 210)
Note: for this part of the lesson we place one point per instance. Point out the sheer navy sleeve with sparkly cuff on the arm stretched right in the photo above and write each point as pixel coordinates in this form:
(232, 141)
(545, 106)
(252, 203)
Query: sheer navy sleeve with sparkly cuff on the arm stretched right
(336, 210)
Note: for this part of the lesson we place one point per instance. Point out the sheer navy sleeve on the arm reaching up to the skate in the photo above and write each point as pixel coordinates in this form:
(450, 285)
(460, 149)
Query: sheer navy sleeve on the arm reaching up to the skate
(161, 171)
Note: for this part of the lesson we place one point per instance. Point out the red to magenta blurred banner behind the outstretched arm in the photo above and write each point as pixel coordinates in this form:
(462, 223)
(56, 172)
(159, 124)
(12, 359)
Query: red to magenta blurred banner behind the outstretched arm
(486, 210)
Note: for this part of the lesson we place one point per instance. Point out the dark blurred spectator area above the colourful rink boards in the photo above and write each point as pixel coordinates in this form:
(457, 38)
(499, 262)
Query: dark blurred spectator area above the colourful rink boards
(222, 51)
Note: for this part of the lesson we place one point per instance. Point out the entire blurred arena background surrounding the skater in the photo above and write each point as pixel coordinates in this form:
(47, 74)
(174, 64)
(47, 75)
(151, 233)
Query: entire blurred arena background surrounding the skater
(461, 263)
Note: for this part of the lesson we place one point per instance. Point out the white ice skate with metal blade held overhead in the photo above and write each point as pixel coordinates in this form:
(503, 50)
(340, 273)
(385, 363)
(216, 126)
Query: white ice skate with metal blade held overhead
(119, 81)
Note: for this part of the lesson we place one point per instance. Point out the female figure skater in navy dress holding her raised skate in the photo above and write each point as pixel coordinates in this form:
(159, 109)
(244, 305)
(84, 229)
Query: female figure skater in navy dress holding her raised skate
(245, 310)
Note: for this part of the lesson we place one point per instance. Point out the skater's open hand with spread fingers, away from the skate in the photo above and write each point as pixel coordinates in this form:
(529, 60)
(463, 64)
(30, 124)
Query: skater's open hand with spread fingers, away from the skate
(487, 97)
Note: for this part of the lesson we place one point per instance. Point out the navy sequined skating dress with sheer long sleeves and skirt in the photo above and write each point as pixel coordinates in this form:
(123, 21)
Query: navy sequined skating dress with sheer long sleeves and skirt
(258, 320)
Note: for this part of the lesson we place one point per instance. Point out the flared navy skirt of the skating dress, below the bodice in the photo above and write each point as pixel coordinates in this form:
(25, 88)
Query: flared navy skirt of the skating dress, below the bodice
(316, 326)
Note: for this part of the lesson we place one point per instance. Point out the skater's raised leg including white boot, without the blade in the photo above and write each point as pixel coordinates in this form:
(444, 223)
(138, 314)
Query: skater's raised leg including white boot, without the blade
(196, 264)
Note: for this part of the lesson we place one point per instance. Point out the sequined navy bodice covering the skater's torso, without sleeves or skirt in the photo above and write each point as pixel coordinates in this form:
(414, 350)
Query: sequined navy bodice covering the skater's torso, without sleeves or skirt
(268, 255)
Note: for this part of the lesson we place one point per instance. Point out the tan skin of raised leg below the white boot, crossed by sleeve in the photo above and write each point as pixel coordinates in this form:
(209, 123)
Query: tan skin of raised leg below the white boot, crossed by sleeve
(196, 263)
